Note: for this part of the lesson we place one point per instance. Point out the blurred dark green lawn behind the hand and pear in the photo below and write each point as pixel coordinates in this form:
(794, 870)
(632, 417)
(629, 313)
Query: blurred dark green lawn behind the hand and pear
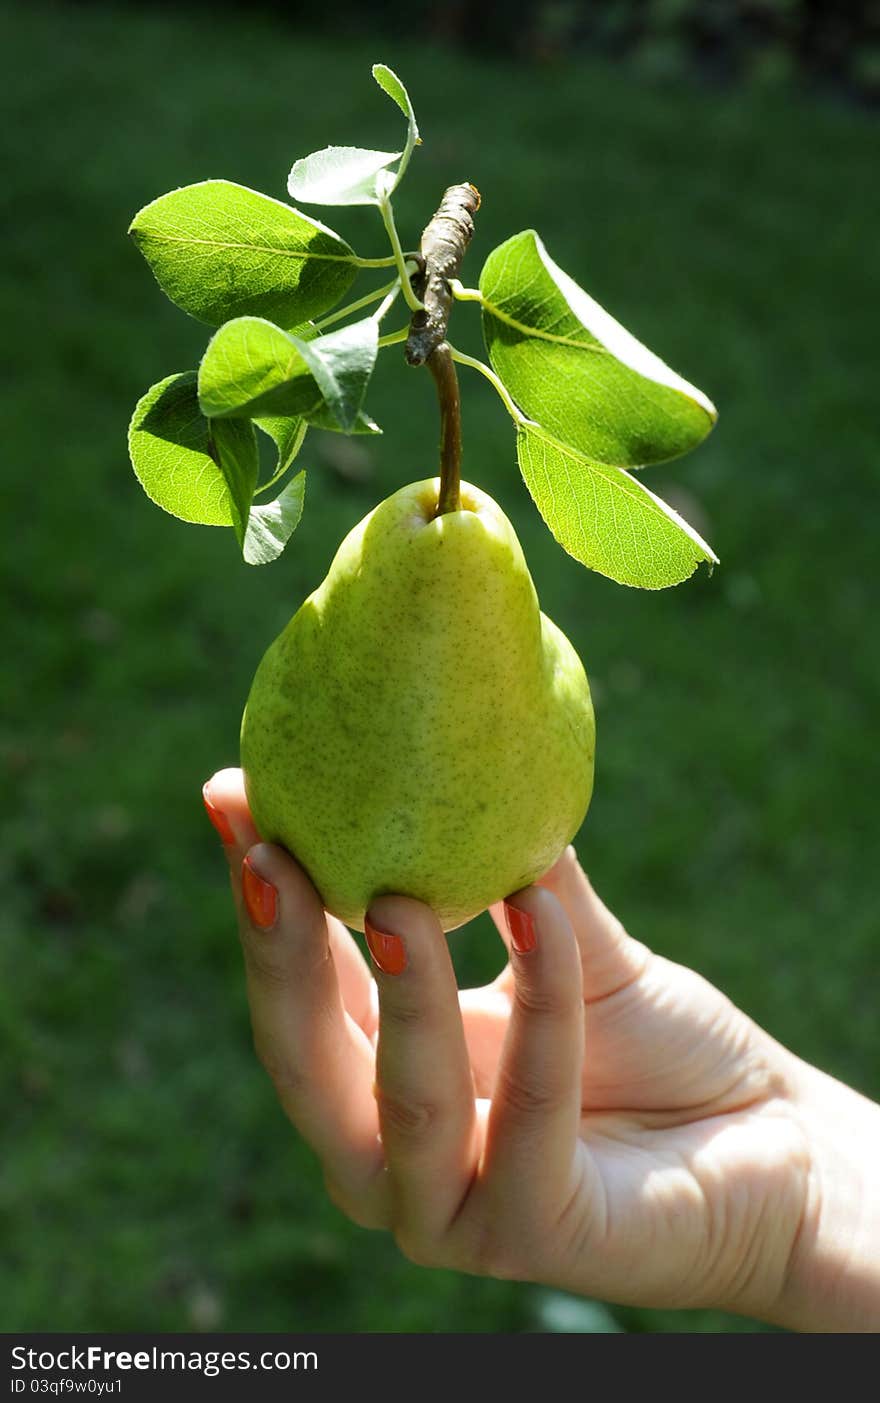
(709, 173)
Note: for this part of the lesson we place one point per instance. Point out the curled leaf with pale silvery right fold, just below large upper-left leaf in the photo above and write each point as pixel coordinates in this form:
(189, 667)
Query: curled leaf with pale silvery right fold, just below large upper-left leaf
(252, 367)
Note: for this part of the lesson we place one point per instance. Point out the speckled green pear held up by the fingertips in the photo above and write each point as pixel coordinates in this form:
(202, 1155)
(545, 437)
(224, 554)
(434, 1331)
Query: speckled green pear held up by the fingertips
(420, 727)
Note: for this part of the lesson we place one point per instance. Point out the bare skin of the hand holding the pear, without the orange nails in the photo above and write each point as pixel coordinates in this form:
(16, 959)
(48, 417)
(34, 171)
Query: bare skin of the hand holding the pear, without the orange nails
(597, 1119)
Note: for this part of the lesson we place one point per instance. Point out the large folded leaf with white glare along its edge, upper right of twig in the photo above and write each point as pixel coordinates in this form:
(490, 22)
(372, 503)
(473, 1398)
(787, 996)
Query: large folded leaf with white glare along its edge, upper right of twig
(576, 371)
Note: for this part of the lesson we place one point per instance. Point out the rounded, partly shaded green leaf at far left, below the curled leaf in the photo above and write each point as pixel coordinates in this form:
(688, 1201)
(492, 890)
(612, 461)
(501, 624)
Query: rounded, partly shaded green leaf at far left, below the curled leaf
(178, 461)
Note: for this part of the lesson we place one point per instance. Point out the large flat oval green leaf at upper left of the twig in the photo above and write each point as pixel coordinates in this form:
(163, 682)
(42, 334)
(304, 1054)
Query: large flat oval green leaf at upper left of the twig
(221, 250)
